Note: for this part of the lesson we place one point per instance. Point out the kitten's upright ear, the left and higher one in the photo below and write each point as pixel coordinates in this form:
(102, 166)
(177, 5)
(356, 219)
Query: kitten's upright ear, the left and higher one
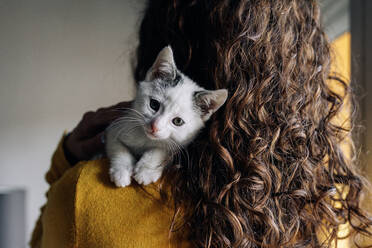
(164, 66)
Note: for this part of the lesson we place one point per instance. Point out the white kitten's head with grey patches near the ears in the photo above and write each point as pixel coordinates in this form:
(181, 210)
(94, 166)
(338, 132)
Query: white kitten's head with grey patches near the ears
(174, 108)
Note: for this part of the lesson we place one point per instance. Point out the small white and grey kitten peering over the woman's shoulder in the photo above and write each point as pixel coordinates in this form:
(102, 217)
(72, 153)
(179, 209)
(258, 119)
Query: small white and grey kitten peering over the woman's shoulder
(168, 112)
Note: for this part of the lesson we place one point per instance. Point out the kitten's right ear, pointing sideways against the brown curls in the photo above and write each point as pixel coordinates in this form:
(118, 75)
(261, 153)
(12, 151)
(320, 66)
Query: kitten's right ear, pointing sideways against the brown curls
(209, 101)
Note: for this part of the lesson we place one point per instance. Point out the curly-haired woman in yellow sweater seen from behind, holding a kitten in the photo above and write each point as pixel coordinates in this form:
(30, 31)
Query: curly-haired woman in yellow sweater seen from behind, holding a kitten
(267, 171)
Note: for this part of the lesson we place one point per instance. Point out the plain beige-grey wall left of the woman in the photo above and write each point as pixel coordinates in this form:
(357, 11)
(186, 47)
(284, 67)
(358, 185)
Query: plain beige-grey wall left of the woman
(58, 59)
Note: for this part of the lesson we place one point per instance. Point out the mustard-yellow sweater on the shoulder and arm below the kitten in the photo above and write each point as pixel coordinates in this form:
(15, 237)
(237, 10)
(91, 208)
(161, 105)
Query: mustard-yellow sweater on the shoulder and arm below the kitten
(84, 209)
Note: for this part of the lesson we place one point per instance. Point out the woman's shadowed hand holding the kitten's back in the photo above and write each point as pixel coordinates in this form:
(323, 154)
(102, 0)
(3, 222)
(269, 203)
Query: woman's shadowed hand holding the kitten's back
(86, 140)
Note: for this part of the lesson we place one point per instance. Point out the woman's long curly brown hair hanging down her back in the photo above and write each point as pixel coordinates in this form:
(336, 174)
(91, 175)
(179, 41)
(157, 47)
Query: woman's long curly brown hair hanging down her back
(269, 169)
